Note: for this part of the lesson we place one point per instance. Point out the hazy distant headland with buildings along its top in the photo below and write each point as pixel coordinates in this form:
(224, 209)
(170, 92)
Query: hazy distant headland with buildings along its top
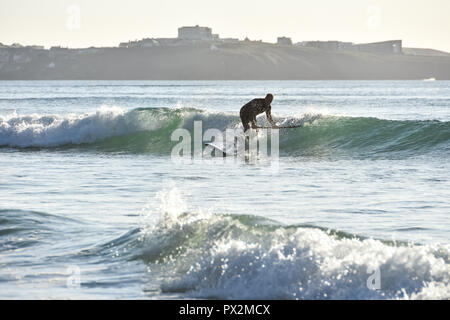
(225, 59)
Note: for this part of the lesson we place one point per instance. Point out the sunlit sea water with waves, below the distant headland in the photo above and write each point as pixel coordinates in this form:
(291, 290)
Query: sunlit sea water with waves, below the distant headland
(93, 206)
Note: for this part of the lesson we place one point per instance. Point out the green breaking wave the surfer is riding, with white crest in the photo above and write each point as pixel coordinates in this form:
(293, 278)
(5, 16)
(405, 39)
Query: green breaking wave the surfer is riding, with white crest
(149, 130)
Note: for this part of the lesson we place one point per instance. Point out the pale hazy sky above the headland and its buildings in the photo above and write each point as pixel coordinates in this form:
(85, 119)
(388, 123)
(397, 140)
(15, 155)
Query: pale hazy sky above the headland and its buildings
(84, 23)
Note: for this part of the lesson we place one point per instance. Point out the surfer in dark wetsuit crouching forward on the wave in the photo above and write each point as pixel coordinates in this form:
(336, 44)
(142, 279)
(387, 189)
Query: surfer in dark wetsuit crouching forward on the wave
(253, 108)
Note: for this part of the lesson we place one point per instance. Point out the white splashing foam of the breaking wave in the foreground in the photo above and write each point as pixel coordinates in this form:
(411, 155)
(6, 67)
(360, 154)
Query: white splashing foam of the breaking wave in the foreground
(246, 257)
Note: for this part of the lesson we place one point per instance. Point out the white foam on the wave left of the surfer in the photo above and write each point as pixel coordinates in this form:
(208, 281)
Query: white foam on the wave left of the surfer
(55, 130)
